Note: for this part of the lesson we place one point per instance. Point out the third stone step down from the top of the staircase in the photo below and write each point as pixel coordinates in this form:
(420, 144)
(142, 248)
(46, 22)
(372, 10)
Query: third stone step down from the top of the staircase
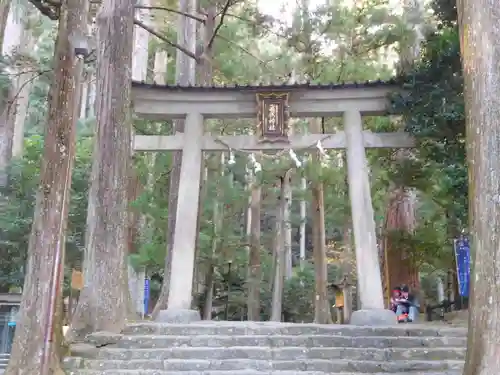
(288, 353)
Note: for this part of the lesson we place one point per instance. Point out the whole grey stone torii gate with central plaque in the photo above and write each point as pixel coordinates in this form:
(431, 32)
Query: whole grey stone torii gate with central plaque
(272, 105)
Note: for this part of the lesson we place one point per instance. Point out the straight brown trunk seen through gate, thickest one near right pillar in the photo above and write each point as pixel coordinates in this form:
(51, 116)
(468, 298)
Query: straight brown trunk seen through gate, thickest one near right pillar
(322, 314)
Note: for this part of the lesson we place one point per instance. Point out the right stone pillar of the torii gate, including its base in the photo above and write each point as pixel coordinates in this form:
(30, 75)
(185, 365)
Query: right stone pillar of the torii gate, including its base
(365, 239)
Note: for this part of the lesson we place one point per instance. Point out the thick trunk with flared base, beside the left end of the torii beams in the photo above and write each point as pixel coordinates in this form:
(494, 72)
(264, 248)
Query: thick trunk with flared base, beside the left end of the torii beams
(105, 299)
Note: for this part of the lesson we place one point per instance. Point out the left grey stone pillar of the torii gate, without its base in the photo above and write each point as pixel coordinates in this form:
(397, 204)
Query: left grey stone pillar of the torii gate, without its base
(183, 250)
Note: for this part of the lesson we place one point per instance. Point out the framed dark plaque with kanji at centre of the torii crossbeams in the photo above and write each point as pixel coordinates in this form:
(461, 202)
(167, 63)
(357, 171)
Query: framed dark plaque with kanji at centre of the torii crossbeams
(272, 112)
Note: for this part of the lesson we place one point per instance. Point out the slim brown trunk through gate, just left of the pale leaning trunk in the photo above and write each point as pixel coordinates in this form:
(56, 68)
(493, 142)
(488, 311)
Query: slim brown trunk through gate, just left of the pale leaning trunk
(254, 267)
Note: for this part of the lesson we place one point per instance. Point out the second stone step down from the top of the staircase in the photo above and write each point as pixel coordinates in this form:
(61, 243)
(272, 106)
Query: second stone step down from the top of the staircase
(306, 340)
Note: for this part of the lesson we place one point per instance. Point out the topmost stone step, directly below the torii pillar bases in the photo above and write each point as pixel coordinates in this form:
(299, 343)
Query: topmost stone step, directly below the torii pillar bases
(268, 328)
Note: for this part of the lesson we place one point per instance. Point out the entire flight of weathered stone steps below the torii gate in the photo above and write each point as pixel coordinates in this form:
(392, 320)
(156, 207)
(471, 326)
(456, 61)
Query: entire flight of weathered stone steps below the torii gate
(250, 348)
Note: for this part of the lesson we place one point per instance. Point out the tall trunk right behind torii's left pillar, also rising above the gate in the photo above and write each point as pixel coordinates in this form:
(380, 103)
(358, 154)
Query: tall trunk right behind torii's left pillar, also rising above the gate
(185, 72)
